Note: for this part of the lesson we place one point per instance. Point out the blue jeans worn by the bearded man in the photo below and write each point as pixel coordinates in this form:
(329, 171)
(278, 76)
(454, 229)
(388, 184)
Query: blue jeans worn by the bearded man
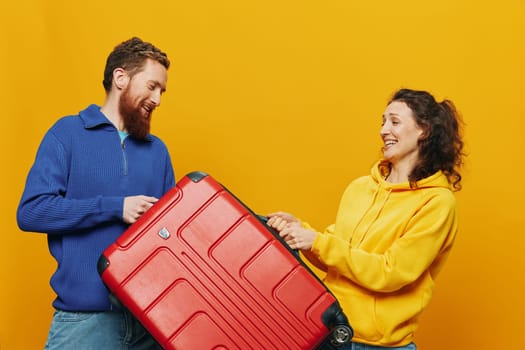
(97, 331)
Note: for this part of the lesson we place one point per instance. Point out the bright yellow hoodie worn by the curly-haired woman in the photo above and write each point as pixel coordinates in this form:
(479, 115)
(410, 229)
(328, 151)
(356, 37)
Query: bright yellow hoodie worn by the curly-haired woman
(384, 251)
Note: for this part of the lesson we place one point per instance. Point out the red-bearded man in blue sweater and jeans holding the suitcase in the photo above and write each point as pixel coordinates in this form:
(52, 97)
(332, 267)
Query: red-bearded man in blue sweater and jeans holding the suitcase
(94, 174)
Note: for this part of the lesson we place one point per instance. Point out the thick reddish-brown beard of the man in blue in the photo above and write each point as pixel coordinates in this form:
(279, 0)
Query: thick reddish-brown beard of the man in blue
(136, 123)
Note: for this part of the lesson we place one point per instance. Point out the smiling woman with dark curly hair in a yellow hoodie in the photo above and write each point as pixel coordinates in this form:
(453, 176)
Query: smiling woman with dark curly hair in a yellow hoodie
(395, 227)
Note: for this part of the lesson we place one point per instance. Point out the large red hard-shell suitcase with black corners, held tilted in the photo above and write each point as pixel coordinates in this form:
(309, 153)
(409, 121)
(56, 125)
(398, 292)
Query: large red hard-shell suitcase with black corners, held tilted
(201, 271)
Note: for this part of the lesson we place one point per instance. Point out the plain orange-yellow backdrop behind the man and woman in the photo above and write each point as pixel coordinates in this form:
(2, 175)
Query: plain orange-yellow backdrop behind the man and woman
(281, 101)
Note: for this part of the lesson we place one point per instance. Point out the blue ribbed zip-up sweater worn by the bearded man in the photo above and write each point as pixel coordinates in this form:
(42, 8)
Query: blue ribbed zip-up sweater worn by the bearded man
(75, 193)
